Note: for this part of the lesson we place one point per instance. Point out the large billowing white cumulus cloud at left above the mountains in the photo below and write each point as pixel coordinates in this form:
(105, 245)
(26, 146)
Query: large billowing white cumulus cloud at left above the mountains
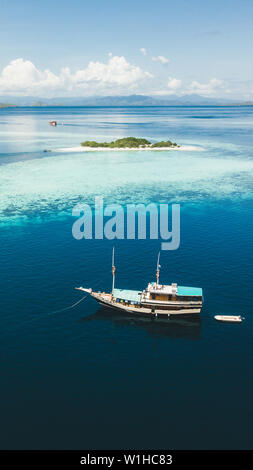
(22, 76)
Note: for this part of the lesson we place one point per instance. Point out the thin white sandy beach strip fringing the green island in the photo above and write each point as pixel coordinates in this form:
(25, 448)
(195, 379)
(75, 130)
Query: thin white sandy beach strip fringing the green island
(188, 148)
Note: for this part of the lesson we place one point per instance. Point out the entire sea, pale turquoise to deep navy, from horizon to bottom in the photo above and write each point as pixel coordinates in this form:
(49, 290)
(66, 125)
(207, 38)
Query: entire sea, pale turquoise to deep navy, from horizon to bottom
(93, 378)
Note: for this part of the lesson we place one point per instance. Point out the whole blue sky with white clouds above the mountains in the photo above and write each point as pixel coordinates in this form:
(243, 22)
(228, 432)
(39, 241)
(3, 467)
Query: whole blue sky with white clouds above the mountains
(108, 47)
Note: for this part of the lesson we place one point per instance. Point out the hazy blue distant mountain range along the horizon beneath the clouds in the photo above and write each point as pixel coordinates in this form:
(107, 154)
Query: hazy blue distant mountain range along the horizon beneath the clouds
(130, 100)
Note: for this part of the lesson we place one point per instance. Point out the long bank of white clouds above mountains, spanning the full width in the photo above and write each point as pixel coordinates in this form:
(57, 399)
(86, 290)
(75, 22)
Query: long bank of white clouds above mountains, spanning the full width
(113, 77)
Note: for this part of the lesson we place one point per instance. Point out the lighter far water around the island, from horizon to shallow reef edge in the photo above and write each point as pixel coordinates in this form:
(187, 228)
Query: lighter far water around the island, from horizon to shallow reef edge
(38, 182)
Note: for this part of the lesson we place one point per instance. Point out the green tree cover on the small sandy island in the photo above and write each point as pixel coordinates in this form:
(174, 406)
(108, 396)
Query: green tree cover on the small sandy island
(129, 143)
